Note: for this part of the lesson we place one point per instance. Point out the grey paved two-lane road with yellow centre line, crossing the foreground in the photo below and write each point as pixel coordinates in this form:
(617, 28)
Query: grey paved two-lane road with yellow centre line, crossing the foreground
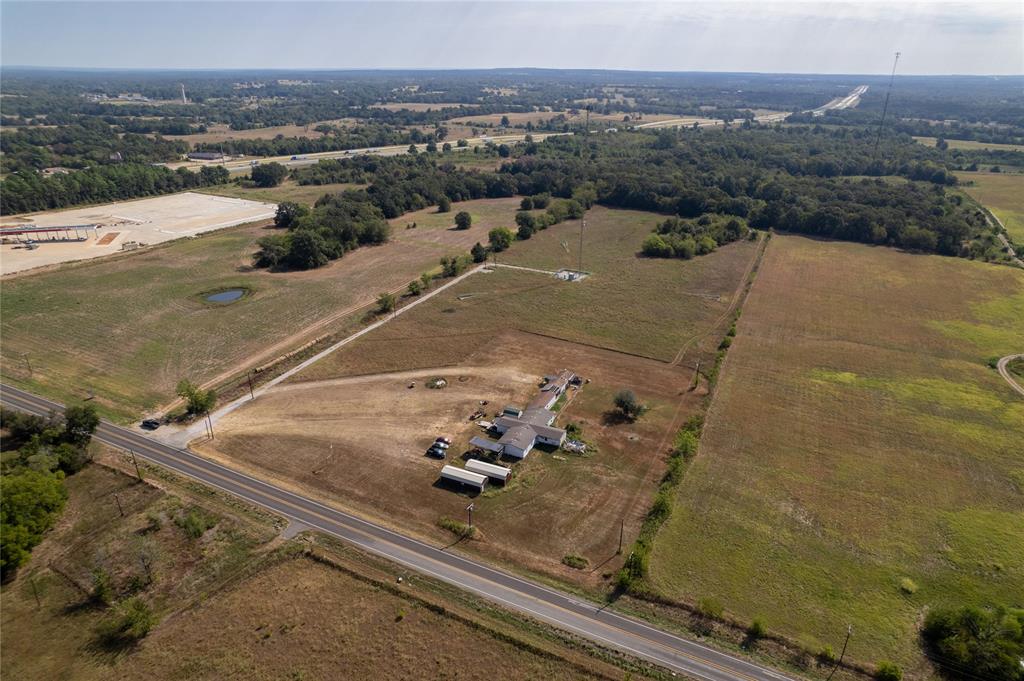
(563, 611)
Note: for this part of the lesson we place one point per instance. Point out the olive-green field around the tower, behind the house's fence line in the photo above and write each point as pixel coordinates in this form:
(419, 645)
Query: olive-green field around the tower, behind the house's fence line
(646, 307)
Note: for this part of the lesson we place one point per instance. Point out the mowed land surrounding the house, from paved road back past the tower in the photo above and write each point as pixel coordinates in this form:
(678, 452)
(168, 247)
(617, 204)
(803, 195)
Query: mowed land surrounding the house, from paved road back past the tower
(352, 431)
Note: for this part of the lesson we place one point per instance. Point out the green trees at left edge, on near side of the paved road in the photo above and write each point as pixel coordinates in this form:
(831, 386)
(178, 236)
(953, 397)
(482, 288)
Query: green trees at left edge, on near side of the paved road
(39, 452)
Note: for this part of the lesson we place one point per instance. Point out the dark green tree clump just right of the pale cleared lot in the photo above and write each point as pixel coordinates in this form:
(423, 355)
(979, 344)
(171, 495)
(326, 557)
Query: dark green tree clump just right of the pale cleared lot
(337, 224)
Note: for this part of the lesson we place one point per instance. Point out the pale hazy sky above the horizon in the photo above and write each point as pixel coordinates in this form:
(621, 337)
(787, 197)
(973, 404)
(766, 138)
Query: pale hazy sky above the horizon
(824, 37)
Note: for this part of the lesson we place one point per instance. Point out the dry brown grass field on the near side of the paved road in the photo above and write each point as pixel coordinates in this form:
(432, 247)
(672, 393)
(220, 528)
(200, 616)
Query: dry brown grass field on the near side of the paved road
(313, 619)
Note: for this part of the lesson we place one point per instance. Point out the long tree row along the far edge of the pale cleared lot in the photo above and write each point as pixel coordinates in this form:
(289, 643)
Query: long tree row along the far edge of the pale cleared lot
(24, 192)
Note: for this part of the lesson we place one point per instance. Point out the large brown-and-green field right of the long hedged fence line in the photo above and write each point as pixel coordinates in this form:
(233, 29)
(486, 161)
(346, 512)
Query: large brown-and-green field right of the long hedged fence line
(859, 439)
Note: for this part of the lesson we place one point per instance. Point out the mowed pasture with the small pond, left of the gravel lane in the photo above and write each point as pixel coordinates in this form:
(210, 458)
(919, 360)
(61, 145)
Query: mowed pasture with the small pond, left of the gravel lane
(127, 330)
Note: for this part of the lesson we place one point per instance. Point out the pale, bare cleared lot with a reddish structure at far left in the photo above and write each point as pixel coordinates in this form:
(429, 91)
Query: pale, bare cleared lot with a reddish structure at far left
(147, 222)
